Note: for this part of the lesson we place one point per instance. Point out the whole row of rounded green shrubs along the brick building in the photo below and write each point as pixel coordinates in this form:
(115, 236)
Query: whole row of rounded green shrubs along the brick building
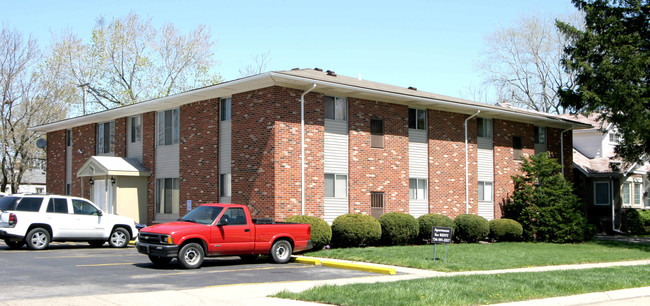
(358, 230)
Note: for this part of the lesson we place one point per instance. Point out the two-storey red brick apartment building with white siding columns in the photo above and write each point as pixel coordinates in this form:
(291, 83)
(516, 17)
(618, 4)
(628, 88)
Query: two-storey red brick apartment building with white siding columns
(368, 148)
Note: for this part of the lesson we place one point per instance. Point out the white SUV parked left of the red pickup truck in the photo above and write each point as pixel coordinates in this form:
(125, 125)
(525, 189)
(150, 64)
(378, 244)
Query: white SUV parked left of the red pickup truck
(37, 219)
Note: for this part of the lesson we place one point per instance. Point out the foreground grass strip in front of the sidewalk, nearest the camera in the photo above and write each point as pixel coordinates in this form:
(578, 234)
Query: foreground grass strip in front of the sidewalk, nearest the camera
(479, 289)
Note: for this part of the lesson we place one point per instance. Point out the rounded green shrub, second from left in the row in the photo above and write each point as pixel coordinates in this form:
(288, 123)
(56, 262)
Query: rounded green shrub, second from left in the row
(355, 230)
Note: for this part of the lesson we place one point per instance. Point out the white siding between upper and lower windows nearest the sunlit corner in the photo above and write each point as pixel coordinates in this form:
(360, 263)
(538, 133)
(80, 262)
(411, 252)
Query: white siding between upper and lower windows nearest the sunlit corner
(336, 146)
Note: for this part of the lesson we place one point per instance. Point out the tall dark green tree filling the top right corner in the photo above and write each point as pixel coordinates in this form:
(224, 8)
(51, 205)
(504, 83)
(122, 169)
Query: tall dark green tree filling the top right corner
(611, 59)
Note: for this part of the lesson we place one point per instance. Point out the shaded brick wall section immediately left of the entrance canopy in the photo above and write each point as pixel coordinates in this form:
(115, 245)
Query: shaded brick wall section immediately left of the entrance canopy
(83, 147)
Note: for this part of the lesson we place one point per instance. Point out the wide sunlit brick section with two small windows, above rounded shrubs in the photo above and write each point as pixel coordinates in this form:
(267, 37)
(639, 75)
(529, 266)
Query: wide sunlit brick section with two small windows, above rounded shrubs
(377, 169)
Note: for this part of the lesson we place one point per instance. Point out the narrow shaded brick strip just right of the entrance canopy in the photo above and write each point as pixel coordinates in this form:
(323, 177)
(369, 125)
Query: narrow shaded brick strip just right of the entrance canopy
(149, 159)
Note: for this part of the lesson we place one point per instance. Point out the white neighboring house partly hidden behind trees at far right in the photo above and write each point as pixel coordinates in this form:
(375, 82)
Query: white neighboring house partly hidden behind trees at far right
(603, 181)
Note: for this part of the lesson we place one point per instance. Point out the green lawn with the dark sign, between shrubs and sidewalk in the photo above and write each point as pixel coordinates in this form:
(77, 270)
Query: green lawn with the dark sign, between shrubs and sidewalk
(504, 255)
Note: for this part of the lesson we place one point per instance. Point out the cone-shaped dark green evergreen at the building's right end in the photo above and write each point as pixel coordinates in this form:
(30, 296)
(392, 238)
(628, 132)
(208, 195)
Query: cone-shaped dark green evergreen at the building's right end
(544, 203)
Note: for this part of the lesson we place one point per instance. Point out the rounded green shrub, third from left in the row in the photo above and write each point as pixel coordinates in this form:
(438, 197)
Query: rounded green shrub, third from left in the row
(398, 228)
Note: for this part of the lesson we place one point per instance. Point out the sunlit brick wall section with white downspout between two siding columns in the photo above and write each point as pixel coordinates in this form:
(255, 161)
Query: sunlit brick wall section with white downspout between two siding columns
(447, 163)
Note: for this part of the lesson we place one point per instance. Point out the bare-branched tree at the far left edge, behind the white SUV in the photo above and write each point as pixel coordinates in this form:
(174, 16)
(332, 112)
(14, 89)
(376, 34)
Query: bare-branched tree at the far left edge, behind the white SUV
(30, 96)
